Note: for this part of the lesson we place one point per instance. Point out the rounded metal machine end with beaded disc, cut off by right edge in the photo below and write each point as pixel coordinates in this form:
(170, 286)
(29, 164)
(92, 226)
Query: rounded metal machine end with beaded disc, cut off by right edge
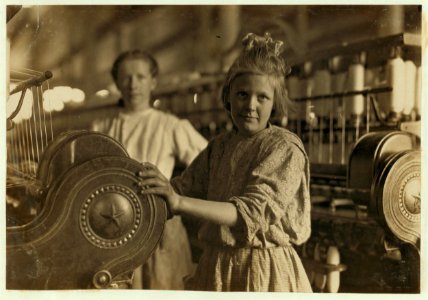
(387, 164)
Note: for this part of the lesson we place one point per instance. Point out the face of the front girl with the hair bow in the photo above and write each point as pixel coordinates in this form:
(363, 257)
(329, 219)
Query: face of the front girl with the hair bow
(251, 101)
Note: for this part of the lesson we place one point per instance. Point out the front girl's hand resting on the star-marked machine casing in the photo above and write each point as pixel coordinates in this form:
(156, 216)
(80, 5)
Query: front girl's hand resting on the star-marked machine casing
(154, 182)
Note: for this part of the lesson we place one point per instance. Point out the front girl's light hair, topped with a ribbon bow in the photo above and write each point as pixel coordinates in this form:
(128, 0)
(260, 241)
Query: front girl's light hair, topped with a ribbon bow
(261, 55)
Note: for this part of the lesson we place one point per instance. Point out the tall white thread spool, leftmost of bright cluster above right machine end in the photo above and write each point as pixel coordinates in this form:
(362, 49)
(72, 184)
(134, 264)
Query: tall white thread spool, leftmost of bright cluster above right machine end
(395, 74)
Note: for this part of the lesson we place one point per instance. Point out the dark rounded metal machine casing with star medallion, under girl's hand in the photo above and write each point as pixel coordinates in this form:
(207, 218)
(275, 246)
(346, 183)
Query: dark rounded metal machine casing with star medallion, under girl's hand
(93, 226)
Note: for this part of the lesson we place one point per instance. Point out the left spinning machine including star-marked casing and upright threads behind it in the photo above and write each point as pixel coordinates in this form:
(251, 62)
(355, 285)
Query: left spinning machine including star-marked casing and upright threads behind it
(75, 218)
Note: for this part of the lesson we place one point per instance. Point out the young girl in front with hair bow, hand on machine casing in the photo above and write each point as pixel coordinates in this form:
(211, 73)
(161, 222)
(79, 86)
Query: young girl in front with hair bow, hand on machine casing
(250, 186)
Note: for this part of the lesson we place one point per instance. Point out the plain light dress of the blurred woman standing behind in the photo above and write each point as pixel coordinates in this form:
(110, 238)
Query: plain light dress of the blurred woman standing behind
(161, 139)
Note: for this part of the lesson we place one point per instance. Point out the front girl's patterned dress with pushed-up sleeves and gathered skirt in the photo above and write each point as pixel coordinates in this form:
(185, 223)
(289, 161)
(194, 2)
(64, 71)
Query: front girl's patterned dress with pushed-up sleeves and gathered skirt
(267, 177)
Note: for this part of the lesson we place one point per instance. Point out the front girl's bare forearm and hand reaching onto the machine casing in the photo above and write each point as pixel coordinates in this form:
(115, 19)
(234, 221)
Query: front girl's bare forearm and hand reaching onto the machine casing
(153, 182)
